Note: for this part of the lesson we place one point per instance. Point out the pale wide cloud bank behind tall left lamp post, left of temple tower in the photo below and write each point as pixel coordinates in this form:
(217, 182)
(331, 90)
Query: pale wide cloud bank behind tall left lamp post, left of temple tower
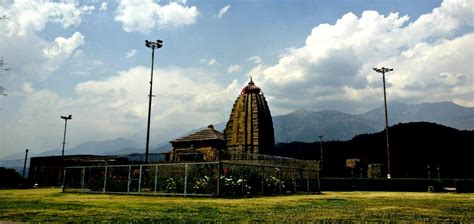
(118, 106)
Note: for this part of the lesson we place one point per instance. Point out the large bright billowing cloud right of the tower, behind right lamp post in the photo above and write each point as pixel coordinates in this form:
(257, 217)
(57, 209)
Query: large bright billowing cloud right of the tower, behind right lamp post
(335, 65)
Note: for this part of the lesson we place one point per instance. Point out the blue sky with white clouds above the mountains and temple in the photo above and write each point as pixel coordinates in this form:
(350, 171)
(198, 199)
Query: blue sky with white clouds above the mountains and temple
(89, 59)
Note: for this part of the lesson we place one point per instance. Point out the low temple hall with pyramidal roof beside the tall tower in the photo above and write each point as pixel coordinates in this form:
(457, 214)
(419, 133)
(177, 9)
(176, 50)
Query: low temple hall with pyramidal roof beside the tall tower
(203, 145)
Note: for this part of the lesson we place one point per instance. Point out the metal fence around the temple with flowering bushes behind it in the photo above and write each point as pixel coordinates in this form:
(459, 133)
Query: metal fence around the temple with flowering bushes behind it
(220, 179)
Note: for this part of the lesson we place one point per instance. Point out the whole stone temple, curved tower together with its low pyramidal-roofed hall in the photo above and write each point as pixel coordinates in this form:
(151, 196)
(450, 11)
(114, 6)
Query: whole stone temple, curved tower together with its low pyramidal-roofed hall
(249, 131)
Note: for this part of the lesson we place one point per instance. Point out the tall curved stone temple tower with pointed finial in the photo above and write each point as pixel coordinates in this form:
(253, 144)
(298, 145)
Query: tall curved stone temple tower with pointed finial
(250, 126)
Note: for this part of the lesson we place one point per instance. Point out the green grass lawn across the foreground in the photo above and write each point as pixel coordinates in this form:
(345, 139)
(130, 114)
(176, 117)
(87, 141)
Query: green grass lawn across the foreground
(52, 205)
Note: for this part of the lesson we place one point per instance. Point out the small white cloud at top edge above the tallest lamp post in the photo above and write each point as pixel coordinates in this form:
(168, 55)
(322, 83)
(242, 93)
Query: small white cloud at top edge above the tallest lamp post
(144, 16)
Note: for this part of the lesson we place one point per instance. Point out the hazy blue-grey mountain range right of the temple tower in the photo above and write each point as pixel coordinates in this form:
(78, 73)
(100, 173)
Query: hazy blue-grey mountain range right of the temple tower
(306, 126)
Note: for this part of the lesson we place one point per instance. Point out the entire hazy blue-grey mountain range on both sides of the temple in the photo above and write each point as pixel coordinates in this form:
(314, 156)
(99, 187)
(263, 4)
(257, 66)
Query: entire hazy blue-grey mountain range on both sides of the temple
(304, 126)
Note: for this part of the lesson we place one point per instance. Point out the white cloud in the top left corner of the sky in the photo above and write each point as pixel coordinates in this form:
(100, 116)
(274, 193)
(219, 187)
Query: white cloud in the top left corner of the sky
(33, 58)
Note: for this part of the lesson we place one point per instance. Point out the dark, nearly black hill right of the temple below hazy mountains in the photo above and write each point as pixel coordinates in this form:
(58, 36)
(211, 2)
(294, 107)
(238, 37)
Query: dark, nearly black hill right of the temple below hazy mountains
(414, 146)
